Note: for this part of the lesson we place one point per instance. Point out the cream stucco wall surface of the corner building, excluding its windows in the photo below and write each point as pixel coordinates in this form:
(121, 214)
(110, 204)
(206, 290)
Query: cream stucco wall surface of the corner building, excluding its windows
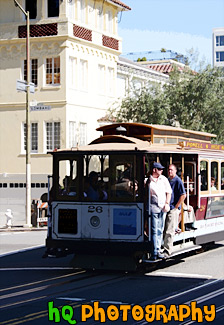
(67, 104)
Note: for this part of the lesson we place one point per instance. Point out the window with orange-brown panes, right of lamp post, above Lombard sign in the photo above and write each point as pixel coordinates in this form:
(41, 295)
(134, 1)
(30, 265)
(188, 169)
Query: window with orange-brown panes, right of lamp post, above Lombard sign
(53, 71)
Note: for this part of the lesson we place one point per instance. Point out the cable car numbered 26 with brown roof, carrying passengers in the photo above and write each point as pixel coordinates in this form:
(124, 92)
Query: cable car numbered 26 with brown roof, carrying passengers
(98, 200)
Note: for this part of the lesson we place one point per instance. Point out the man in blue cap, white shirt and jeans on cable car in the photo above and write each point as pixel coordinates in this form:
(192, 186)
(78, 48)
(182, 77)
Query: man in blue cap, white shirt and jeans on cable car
(159, 200)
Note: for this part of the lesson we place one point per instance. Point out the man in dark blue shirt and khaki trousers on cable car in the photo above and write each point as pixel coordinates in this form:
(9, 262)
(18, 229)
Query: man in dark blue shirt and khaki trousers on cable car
(177, 197)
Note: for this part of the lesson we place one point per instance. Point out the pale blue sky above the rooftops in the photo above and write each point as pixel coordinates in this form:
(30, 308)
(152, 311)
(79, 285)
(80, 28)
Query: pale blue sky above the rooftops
(176, 25)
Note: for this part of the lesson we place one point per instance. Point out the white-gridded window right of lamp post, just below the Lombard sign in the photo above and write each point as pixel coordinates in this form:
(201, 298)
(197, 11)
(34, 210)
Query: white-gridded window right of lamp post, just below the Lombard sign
(53, 134)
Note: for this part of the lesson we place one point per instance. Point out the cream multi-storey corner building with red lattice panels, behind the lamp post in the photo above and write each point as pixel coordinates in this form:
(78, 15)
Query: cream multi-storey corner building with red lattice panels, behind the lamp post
(74, 49)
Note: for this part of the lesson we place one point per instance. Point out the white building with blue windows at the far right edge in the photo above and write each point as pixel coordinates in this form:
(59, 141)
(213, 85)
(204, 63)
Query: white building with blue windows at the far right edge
(218, 47)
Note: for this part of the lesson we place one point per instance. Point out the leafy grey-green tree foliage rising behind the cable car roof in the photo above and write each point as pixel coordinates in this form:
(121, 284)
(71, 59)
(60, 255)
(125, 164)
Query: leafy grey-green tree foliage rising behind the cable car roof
(195, 101)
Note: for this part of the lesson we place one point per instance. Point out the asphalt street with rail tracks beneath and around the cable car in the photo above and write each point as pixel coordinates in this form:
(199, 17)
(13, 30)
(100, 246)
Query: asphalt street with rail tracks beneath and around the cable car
(34, 290)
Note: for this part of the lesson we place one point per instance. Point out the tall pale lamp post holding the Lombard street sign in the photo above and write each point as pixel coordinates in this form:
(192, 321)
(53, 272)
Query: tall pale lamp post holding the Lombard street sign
(28, 164)
